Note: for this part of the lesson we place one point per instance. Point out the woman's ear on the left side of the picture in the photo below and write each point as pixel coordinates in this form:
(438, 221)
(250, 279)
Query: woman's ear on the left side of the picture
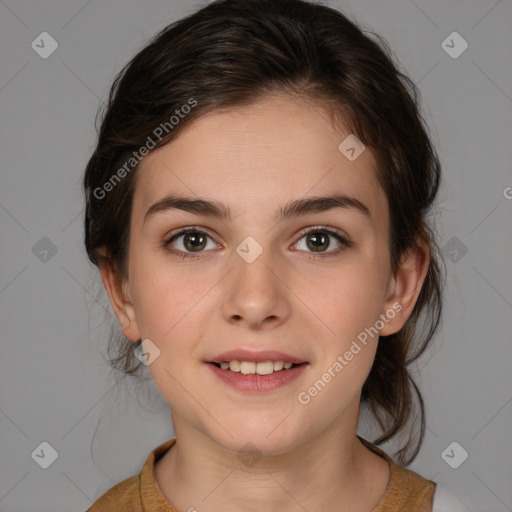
(118, 291)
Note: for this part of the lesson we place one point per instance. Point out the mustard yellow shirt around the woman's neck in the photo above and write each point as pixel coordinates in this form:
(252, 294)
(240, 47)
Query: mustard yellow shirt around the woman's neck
(406, 492)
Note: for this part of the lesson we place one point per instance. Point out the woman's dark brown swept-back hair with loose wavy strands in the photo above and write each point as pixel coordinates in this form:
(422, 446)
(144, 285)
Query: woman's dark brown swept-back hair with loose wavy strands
(231, 53)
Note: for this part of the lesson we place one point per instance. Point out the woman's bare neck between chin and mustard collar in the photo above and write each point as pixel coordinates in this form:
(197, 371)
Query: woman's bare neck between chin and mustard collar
(311, 475)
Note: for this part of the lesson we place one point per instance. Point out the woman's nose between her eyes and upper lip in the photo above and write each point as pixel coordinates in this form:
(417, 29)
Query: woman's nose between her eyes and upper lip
(256, 294)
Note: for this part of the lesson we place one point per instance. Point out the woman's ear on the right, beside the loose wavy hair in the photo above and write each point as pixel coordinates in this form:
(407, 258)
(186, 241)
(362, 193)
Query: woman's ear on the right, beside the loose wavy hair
(404, 288)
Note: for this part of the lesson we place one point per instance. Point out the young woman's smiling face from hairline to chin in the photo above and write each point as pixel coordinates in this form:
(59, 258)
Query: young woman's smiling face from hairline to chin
(307, 284)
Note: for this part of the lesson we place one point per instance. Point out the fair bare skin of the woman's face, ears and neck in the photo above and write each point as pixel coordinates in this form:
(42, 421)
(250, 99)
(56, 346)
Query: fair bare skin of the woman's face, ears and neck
(255, 159)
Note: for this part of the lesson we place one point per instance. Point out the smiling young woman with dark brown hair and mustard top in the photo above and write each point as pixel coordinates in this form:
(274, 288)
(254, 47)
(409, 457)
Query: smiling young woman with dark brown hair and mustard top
(257, 205)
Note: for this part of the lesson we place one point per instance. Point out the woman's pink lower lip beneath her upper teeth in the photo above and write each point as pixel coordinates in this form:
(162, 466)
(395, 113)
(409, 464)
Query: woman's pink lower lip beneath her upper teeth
(258, 383)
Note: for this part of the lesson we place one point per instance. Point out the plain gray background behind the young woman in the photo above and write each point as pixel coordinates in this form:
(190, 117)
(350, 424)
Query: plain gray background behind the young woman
(55, 383)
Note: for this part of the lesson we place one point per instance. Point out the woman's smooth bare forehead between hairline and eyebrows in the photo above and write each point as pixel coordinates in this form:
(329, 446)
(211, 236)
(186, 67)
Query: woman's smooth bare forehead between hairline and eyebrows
(257, 156)
